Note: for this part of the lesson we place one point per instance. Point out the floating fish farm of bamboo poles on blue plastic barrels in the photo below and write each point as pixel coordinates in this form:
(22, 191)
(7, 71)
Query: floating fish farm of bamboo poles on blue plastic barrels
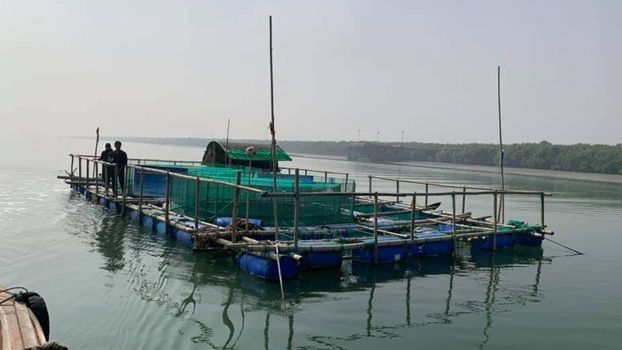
(314, 219)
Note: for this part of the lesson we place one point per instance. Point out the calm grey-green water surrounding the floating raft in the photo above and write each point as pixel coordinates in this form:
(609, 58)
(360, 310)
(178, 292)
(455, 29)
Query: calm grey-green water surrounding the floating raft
(112, 285)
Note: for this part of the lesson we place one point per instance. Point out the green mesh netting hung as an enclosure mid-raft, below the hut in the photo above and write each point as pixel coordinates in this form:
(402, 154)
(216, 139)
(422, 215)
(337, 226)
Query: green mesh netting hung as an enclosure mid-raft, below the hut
(217, 200)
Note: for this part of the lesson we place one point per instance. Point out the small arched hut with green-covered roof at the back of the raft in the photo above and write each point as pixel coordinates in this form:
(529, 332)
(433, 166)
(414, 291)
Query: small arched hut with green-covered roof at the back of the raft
(235, 154)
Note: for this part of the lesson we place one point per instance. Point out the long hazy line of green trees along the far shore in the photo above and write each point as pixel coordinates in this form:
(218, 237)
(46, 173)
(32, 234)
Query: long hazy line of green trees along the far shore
(603, 159)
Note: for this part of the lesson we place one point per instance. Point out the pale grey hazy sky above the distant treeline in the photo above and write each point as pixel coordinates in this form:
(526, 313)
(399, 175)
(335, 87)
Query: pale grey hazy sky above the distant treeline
(181, 68)
